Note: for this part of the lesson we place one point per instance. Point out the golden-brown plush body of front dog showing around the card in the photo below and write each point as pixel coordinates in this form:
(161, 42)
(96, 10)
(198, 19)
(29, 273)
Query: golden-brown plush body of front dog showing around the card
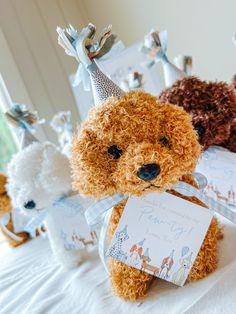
(130, 283)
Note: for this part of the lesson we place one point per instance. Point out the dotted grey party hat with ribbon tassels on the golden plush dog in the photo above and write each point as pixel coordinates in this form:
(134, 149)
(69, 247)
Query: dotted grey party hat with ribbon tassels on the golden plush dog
(85, 50)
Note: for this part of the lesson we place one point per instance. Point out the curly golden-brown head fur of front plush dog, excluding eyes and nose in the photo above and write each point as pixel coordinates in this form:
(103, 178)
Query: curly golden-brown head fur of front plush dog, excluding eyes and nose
(136, 123)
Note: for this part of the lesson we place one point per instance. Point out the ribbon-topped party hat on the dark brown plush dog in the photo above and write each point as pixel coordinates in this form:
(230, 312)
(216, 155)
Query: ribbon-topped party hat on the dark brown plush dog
(154, 46)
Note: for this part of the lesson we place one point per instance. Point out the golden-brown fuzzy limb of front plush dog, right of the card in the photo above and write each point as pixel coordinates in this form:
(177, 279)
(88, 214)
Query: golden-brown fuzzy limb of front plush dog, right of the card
(207, 259)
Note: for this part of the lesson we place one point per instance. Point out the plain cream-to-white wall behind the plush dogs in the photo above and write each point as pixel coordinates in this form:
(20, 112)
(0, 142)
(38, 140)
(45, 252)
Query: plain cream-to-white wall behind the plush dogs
(201, 28)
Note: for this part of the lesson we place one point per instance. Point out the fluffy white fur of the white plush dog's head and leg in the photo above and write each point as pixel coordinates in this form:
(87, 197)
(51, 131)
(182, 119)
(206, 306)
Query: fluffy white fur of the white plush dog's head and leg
(41, 173)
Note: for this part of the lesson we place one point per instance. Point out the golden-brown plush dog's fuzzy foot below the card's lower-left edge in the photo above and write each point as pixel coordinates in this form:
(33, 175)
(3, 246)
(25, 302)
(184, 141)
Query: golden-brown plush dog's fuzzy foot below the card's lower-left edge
(127, 282)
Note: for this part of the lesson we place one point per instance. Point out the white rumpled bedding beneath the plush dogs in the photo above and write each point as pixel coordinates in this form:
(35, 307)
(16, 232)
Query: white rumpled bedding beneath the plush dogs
(32, 282)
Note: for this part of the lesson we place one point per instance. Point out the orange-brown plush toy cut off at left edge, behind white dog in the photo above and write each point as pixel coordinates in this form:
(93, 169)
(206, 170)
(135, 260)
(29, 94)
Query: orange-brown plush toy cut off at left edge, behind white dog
(5, 207)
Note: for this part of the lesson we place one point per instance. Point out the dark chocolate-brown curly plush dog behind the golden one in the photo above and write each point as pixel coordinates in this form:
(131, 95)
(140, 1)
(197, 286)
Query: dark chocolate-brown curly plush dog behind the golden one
(212, 106)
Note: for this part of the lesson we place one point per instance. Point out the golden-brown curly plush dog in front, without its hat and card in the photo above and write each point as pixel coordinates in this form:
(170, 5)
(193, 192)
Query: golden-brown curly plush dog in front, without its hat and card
(134, 145)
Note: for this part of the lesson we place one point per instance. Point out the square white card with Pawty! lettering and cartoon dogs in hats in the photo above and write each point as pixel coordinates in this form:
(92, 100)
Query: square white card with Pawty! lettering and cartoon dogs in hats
(160, 234)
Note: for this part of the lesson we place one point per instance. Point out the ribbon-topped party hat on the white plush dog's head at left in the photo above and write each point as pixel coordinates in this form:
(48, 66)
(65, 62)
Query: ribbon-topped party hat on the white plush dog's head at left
(24, 120)
